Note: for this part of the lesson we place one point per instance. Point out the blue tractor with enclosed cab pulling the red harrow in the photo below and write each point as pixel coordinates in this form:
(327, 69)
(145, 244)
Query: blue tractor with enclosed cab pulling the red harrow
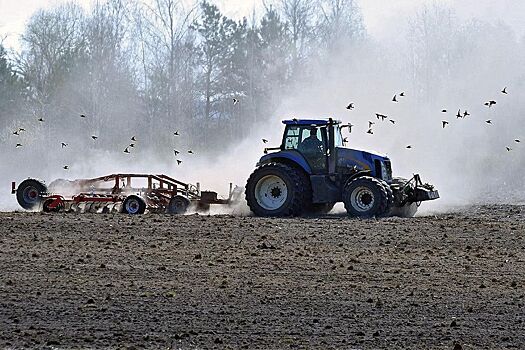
(312, 170)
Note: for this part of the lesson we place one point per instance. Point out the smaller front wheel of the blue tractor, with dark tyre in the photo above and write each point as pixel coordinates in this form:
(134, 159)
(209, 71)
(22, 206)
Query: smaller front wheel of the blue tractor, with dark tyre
(366, 197)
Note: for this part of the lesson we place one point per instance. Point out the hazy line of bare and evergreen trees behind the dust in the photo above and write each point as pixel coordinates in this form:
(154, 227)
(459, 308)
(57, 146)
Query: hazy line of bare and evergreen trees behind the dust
(148, 67)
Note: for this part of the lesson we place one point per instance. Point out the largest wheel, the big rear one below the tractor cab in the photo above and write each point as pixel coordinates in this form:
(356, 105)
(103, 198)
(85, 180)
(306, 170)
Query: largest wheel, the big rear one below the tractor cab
(277, 189)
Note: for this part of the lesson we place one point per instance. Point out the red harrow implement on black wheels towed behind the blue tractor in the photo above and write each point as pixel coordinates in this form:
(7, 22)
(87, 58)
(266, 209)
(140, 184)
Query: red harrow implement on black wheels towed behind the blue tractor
(115, 193)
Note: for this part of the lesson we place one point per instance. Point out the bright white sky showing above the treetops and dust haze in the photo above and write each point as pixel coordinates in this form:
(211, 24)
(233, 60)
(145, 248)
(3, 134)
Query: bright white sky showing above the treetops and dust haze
(380, 15)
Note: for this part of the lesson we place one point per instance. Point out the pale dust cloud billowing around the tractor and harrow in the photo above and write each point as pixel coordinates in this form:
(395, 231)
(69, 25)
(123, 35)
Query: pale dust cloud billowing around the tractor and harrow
(438, 54)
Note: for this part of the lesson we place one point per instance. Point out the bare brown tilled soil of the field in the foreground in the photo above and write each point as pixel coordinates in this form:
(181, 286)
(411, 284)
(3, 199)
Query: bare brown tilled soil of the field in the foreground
(201, 282)
